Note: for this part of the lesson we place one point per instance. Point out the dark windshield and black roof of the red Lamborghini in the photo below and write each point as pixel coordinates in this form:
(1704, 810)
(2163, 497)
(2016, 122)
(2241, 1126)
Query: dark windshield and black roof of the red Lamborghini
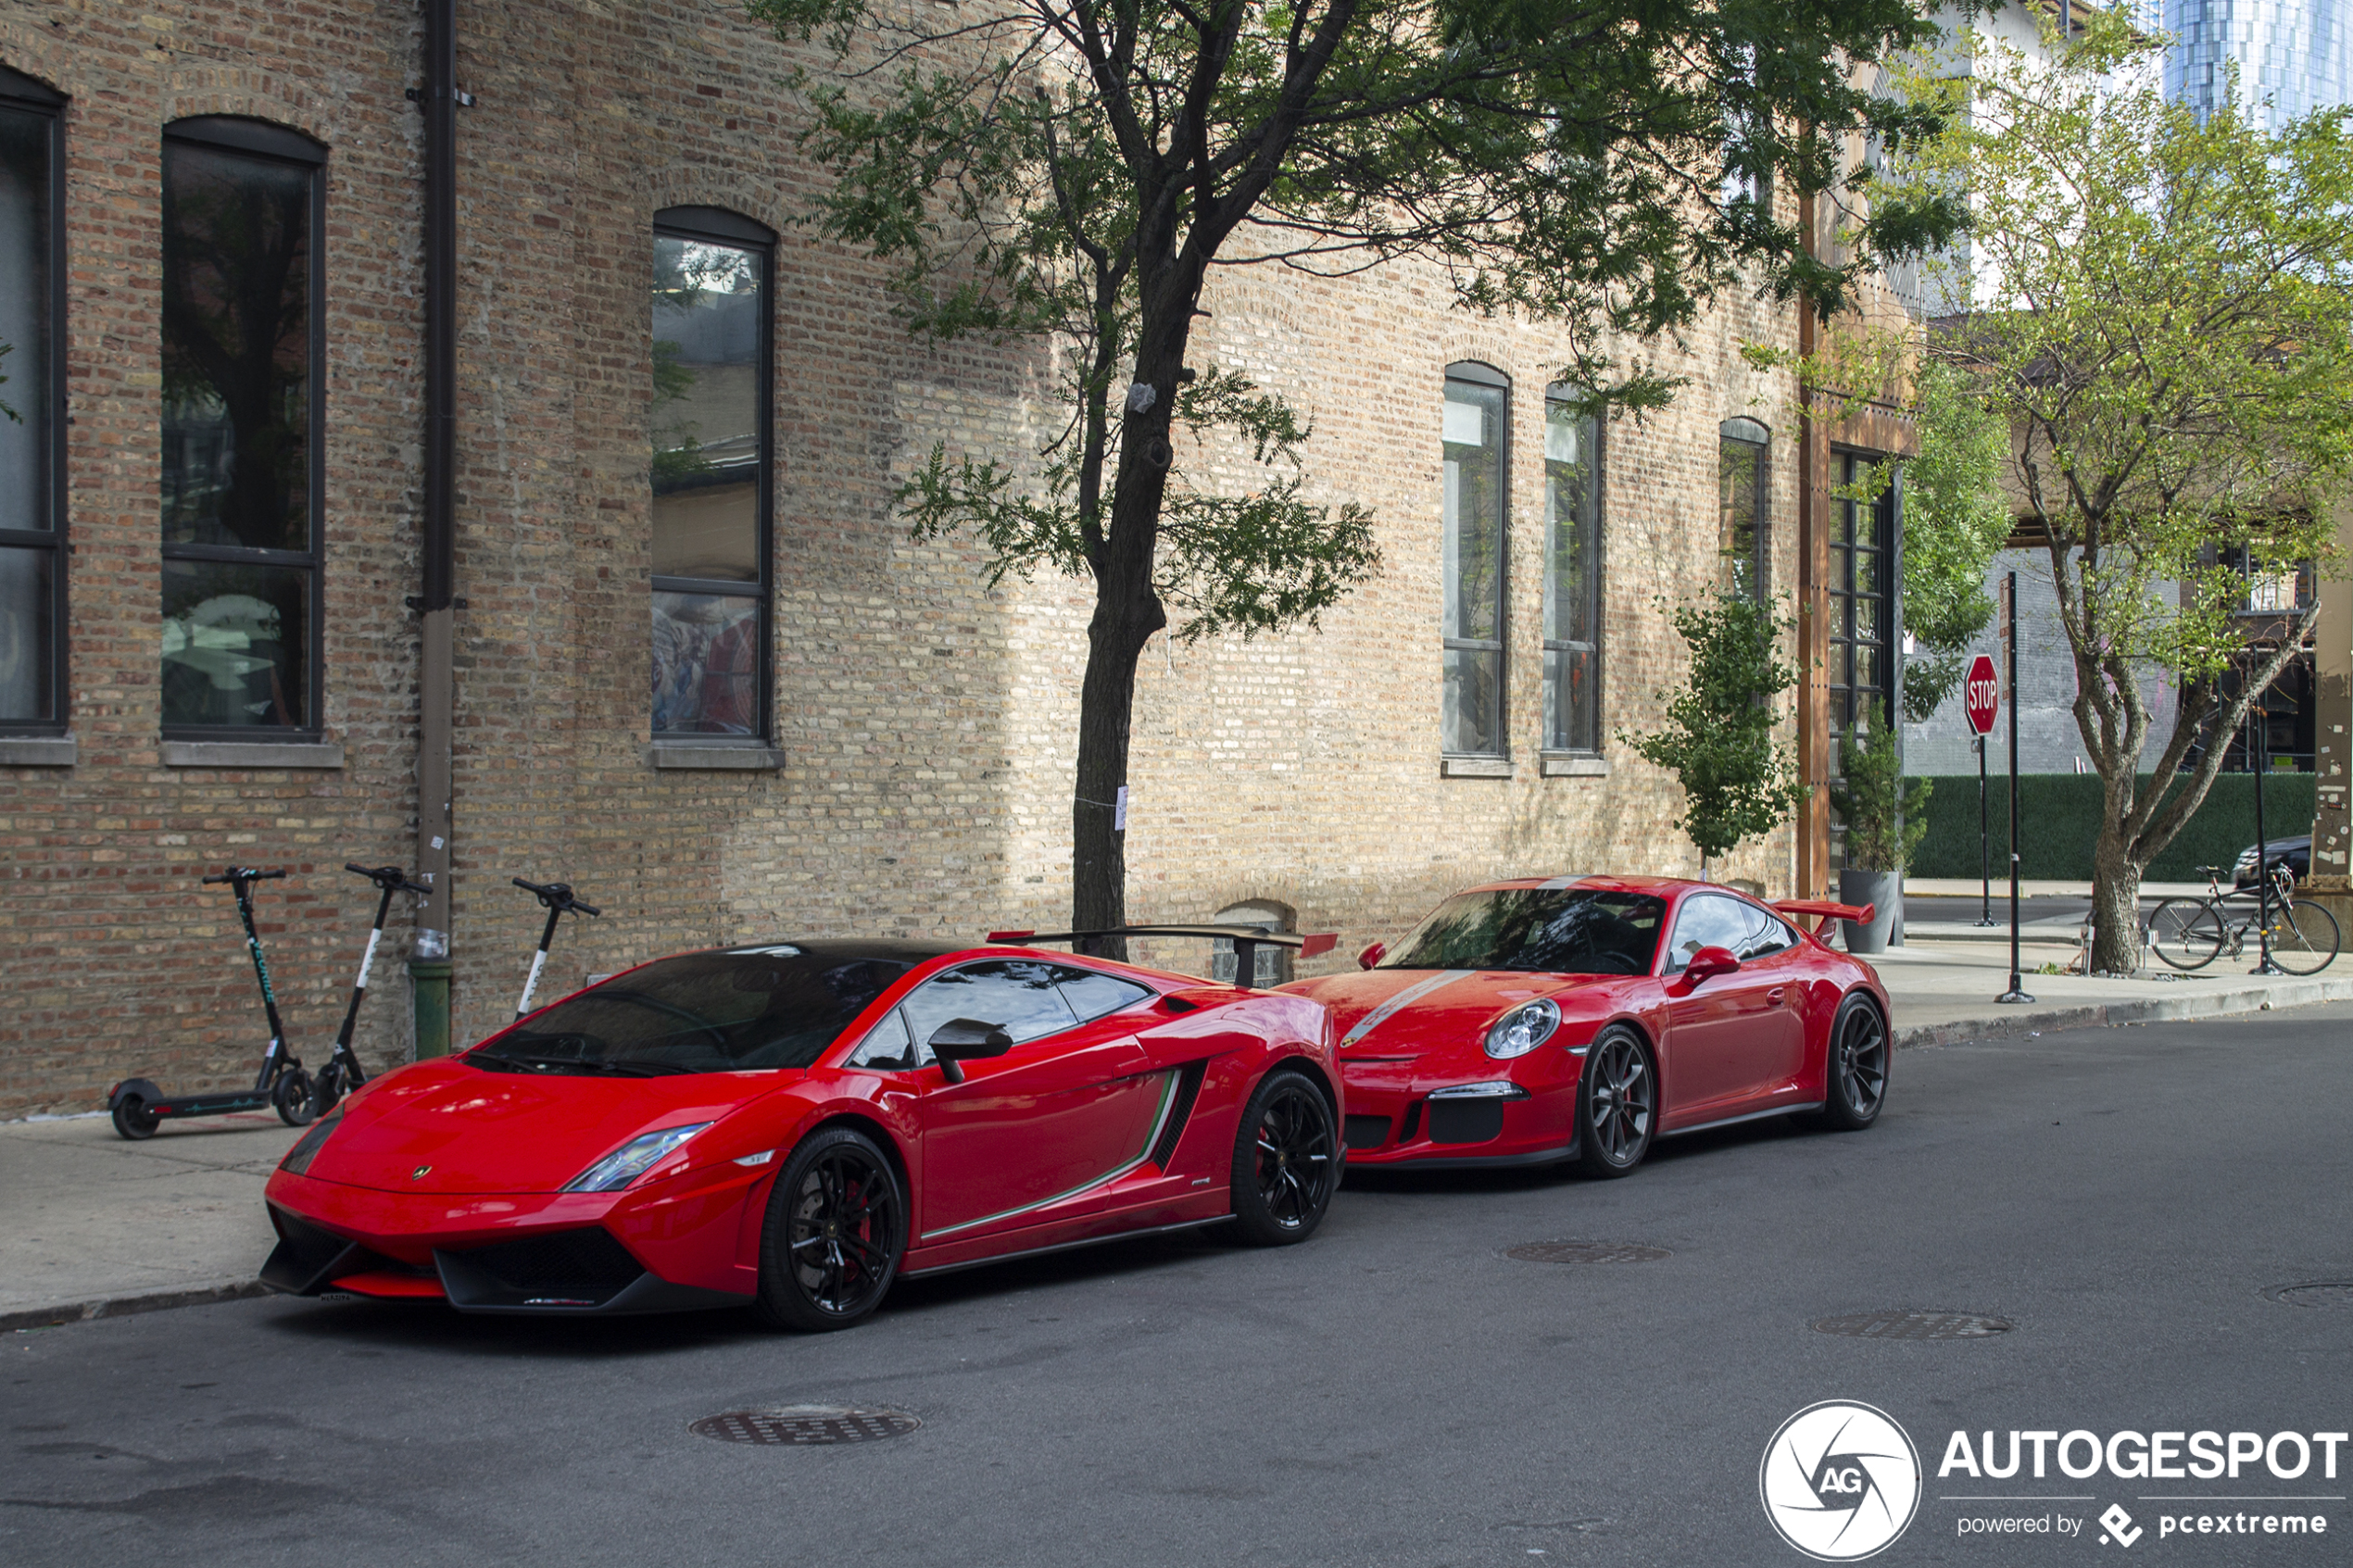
(705, 1012)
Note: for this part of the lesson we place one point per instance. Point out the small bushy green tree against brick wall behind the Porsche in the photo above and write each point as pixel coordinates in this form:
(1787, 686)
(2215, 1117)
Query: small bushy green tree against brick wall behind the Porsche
(1719, 728)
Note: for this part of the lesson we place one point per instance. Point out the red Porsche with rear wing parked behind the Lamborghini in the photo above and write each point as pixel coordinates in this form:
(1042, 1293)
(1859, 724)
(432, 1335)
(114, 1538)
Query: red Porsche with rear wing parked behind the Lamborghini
(1585, 1017)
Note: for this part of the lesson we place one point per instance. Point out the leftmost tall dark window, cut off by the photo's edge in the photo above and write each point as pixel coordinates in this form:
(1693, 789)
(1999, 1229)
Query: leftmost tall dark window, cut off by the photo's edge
(32, 434)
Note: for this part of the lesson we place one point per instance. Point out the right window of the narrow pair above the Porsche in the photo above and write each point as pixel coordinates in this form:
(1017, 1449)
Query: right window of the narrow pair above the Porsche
(1573, 575)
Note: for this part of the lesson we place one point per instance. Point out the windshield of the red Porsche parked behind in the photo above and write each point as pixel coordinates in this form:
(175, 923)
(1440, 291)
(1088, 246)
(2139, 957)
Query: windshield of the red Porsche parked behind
(1552, 930)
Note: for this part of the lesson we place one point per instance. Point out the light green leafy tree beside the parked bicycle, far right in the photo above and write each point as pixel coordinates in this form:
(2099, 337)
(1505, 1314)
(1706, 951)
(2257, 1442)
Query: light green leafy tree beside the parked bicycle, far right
(2161, 311)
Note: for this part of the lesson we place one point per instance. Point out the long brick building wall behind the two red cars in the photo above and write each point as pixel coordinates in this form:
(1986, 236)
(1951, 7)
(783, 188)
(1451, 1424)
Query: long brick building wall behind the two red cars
(719, 688)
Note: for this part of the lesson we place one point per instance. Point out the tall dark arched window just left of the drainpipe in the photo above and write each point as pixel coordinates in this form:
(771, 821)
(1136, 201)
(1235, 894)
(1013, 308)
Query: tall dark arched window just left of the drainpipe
(244, 403)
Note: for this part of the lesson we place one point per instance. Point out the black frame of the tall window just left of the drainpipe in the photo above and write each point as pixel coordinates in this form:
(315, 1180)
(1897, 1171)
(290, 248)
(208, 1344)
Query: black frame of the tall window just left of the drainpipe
(281, 145)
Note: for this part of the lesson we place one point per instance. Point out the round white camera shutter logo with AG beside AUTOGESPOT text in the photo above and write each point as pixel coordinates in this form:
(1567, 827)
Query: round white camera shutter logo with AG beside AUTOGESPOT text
(1841, 1482)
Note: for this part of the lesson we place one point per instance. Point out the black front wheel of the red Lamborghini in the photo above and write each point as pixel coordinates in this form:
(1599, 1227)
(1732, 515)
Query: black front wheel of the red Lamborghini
(834, 1235)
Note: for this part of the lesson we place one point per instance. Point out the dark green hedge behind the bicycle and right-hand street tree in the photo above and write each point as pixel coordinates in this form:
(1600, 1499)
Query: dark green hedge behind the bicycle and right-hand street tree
(2060, 824)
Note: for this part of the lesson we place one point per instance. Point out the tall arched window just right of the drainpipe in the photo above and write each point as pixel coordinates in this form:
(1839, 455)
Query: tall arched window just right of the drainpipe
(712, 474)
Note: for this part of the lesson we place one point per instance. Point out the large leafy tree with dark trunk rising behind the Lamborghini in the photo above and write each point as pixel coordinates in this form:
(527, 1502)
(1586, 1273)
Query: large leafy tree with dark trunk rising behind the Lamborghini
(1069, 173)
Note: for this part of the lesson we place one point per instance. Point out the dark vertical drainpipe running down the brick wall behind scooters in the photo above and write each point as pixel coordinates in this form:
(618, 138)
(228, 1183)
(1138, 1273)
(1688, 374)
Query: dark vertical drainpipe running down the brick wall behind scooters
(436, 690)
